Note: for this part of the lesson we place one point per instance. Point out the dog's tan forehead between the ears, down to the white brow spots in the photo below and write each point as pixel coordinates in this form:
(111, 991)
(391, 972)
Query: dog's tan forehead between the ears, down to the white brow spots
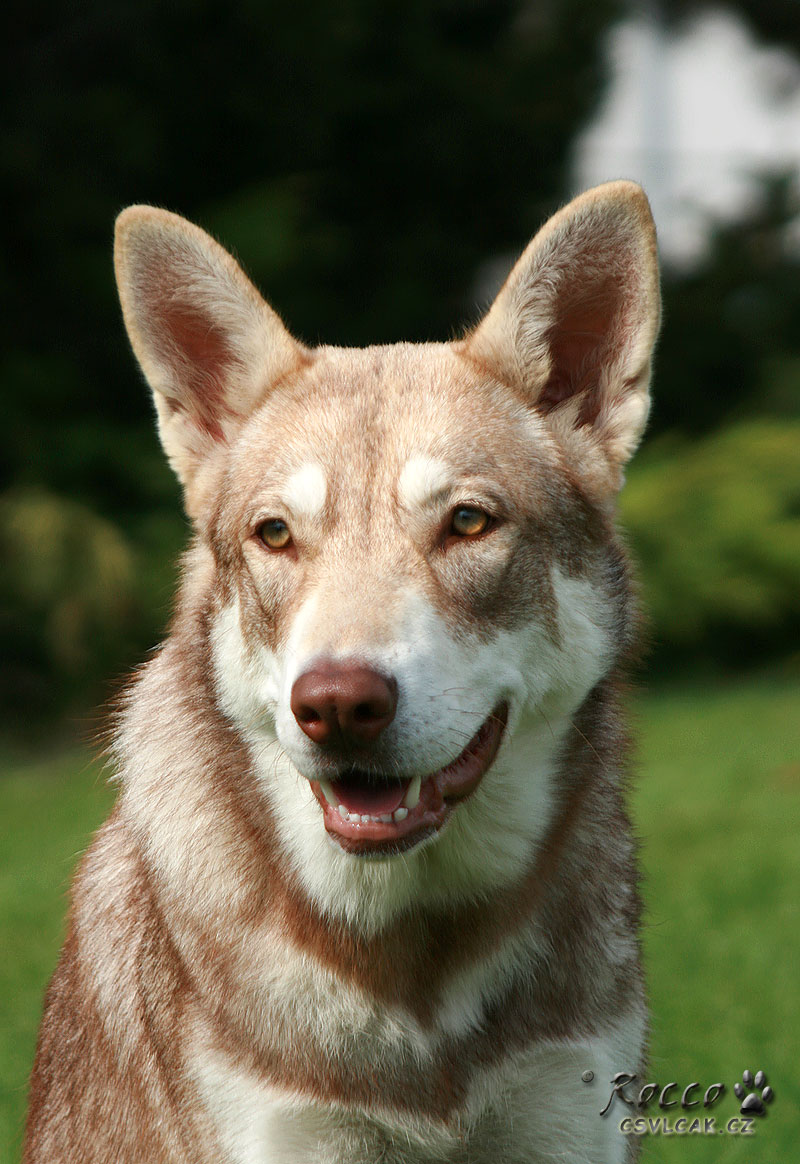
(414, 418)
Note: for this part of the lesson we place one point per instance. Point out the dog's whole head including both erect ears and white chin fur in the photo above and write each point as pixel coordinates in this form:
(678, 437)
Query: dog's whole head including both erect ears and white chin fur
(409, 566)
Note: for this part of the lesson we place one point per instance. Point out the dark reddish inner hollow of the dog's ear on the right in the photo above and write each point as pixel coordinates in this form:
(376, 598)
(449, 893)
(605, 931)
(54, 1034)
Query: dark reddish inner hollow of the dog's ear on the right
(585, 336)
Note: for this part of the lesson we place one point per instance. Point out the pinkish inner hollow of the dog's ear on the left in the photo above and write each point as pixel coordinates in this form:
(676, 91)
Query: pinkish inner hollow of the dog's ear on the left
(204, 363)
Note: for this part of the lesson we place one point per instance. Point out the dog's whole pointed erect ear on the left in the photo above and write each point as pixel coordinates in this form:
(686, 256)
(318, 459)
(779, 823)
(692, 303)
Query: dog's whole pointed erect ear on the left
(208, 344)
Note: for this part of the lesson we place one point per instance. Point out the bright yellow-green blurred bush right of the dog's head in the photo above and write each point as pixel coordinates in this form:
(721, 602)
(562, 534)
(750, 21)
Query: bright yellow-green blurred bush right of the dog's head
(716, 527)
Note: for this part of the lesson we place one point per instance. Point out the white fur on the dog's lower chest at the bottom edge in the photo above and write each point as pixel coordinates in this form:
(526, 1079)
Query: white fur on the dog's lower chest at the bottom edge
(534, 1109)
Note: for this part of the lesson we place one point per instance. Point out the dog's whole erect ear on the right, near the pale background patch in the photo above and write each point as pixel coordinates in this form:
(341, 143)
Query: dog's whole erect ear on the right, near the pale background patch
(575, 325)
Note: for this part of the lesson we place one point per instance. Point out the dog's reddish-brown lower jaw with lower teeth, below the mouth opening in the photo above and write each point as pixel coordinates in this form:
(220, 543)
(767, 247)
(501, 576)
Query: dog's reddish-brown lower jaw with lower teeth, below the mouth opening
(427, 804)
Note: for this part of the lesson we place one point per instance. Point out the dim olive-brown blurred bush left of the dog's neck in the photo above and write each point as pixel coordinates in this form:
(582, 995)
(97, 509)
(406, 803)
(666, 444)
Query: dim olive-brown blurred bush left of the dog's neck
(81, 600)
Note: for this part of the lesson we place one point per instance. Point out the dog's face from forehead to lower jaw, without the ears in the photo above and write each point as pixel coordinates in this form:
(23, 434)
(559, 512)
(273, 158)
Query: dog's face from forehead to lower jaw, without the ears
(393, 585)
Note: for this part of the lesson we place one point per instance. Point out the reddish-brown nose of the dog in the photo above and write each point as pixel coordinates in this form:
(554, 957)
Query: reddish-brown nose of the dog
(344, 704)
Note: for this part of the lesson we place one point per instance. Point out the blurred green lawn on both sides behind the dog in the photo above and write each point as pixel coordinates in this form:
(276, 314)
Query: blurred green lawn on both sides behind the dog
(718, 807)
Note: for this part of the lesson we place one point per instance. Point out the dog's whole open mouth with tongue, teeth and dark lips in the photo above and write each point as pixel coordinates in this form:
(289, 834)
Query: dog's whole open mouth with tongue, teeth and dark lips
(372, 817)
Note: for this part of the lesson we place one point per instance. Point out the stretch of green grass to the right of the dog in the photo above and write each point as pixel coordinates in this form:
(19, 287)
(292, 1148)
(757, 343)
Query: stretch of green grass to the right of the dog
(718, 810)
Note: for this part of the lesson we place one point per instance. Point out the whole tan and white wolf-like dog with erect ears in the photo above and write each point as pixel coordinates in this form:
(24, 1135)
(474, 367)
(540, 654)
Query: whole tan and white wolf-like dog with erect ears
(370, 890)
